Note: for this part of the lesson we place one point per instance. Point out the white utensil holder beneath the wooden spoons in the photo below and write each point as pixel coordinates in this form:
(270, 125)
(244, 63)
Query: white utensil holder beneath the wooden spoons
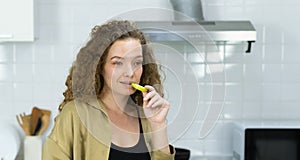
(33, 148)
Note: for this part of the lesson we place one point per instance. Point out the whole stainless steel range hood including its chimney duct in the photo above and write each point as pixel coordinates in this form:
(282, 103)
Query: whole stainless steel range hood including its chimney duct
(189, 24)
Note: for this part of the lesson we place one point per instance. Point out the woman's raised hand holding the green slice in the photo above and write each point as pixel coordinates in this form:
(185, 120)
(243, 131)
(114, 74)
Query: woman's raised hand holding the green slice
(155, 107)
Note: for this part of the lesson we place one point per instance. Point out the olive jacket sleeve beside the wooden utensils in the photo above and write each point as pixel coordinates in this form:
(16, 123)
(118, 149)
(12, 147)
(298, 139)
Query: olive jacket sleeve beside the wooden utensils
(59, 144)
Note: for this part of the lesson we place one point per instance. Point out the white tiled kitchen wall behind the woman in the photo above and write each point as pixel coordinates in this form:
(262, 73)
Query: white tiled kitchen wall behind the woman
(262, 85)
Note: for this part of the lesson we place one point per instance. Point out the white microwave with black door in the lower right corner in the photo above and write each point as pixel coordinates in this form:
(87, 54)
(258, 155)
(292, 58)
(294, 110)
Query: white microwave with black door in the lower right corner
(271, 140)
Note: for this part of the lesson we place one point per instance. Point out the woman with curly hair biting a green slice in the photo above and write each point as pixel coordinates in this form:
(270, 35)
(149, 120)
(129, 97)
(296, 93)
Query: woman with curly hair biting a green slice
(103, 116)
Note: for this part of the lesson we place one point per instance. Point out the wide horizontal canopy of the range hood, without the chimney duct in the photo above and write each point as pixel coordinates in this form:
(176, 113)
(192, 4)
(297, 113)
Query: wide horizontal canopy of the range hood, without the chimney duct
(216, 31)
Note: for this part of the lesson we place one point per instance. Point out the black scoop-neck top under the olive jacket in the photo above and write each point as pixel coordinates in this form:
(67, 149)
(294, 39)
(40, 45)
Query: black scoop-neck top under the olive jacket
(136, 152)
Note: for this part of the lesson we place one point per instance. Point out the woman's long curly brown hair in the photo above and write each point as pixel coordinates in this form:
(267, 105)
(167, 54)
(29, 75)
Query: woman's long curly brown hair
(85, 77)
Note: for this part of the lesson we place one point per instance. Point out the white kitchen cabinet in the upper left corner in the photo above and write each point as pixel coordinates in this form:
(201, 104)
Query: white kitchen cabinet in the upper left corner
(16, 20)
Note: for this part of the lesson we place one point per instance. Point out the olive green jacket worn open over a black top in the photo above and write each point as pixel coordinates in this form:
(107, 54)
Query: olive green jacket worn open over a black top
(82, 132)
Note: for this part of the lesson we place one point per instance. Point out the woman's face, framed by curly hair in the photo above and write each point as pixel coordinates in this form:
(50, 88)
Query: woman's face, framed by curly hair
(123, 66)
